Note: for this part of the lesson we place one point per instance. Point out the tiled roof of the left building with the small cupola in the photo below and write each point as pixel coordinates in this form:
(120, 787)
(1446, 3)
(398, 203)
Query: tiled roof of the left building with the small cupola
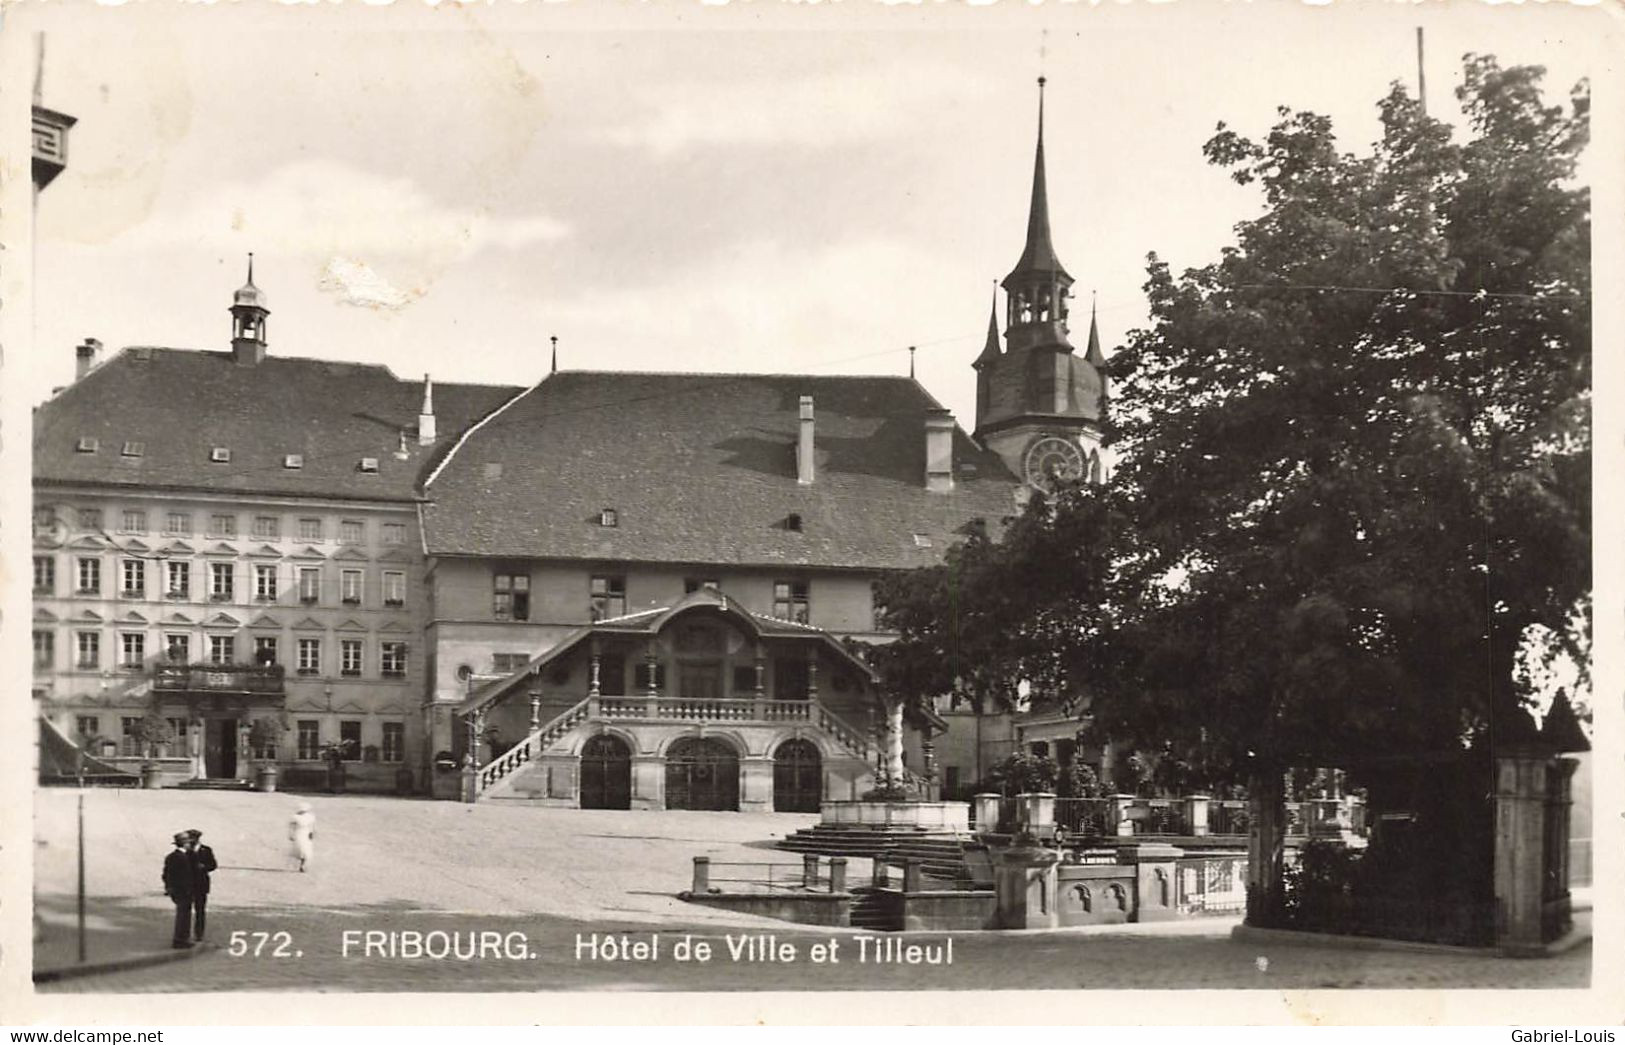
(180, 405)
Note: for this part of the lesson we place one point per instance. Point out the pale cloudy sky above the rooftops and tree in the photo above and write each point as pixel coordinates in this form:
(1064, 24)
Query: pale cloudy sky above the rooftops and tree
(761, 188)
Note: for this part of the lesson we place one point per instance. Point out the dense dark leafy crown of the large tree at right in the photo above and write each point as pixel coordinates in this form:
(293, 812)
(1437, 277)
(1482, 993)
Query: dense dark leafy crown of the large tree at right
(1353, 462)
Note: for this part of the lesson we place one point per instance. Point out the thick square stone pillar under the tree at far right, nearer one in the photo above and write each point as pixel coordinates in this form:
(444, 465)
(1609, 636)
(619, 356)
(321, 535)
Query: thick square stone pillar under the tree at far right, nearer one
(1522, 792)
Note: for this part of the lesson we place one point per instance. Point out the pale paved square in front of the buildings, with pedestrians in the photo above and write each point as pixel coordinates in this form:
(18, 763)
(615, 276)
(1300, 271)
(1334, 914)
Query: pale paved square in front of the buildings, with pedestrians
(548, 900)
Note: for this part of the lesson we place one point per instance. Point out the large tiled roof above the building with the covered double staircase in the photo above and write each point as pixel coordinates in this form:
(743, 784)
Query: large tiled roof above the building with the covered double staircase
(703, 469)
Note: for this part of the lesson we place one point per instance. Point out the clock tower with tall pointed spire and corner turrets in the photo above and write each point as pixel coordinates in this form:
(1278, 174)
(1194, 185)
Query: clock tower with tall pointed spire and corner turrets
(1039, 404)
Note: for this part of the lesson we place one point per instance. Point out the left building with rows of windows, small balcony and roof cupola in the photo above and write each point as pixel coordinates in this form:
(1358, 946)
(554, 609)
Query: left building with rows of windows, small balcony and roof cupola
(232, 539)
